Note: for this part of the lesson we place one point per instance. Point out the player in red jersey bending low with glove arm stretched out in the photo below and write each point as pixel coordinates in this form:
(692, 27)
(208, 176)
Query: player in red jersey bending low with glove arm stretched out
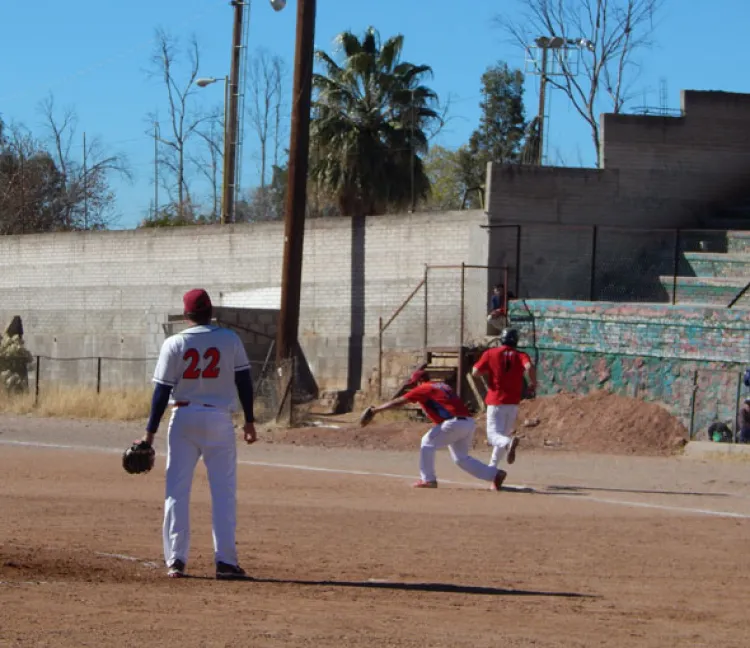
(453, 427)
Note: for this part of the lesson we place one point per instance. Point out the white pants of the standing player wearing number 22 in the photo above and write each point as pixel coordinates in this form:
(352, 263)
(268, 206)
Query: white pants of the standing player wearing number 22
(195, 432)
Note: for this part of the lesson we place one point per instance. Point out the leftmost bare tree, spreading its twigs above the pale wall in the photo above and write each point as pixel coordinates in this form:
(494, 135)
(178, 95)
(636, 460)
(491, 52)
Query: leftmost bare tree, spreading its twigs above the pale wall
(87, 196)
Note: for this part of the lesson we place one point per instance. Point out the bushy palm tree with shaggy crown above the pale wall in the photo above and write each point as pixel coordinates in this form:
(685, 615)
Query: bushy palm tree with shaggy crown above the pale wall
(371, 122)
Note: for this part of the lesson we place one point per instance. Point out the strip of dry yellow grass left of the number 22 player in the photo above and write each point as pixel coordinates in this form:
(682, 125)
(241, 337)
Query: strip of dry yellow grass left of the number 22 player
(76, 402)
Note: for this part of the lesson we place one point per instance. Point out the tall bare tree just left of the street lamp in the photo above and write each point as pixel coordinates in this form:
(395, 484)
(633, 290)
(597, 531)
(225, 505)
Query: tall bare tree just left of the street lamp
(183, 119)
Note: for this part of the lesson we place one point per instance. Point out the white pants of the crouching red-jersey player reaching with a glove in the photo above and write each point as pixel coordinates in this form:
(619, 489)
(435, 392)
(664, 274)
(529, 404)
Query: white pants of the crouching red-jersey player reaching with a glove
(457, 434)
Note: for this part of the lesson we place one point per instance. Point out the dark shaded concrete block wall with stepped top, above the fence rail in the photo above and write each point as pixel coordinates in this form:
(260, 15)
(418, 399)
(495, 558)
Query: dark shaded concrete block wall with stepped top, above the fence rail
(655, 171)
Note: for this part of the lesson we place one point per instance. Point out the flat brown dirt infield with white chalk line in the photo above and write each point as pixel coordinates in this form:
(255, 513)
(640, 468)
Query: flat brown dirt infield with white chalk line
(578, 551)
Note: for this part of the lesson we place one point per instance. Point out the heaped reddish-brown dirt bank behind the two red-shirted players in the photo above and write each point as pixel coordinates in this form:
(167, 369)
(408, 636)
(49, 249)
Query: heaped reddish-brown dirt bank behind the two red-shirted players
(599, 422)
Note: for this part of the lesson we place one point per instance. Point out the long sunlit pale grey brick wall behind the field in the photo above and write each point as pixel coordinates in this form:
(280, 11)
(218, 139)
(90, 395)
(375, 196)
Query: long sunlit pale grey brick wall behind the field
(109, 293)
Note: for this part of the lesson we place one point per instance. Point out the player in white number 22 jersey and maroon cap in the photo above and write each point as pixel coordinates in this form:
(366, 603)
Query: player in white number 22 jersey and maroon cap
(198, 373)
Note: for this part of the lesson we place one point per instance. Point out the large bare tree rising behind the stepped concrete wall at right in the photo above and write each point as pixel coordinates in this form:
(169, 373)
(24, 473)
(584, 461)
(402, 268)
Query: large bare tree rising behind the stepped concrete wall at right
(609, 31)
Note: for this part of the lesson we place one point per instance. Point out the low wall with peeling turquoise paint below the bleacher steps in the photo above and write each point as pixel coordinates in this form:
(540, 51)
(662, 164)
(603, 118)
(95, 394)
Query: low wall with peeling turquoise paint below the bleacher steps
(688, 358)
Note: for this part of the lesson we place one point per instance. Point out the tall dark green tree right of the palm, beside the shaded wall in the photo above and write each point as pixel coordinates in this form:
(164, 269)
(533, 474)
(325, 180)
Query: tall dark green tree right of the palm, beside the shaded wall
(502, 125)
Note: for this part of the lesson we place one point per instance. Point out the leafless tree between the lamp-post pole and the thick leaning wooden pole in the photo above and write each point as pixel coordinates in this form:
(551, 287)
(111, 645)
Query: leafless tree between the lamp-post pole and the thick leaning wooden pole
(265, 88)
